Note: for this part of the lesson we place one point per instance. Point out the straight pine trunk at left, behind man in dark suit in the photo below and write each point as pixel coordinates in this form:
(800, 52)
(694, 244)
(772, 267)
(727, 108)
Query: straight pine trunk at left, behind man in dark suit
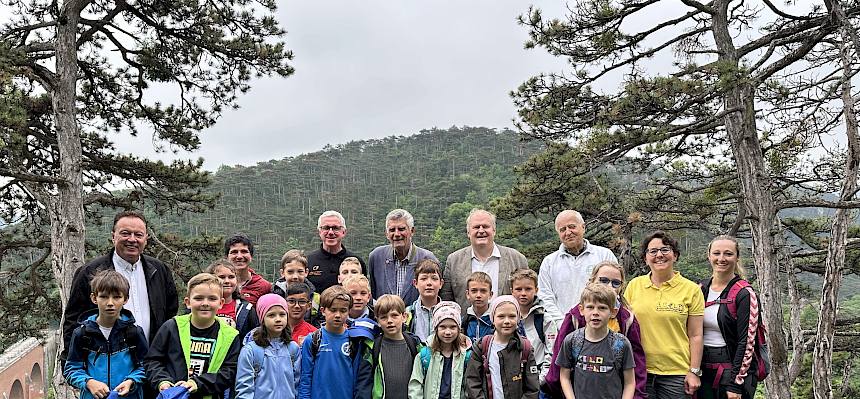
(66, 211)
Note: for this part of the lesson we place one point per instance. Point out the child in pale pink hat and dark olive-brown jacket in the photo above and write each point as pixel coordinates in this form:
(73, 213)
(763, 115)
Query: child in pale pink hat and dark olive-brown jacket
(502, 364)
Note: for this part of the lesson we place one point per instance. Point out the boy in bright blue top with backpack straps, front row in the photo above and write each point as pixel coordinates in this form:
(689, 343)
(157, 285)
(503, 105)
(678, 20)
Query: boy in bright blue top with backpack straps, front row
(332, 363)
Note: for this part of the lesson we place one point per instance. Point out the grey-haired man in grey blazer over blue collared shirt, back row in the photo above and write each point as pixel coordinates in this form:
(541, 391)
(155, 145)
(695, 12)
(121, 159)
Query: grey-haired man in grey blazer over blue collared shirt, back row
(391, 266)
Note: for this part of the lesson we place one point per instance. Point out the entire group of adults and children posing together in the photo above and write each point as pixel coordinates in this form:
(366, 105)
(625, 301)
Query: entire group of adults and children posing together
(483, 325)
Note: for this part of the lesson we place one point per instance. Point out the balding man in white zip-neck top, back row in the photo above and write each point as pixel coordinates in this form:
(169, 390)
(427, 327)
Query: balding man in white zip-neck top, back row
(564, 273)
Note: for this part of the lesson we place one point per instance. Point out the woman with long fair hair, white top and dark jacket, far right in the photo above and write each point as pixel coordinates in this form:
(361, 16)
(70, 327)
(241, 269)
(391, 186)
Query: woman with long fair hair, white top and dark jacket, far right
(728, 339)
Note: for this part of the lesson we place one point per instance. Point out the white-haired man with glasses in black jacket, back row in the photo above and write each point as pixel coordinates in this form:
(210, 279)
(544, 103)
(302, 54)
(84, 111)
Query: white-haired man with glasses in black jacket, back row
(324, 263)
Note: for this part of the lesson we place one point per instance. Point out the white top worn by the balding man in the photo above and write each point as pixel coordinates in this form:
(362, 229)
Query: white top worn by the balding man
(563, 276)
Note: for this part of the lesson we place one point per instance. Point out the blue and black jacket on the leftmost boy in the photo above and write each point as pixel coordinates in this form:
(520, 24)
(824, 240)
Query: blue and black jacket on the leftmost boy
(110, 361)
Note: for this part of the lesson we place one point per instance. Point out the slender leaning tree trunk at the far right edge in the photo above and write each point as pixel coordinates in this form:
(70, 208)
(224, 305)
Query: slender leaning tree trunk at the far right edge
(822, 358)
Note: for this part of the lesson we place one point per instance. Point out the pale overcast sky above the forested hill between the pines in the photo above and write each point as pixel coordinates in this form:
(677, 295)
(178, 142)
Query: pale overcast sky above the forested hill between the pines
(371, 69)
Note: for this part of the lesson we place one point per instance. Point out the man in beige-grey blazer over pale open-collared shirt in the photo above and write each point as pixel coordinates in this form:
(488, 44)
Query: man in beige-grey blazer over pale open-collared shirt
(483, 255)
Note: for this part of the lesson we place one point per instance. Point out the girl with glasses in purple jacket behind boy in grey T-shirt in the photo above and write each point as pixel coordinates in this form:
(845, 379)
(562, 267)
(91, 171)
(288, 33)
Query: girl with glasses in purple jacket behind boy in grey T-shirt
(611, 274)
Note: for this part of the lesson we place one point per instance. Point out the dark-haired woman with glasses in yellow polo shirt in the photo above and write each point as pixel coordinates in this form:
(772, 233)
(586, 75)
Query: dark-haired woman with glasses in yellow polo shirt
(670, 310)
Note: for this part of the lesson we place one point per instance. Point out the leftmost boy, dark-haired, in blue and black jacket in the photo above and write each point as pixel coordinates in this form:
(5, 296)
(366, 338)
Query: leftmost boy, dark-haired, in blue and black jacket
(106, 351)
